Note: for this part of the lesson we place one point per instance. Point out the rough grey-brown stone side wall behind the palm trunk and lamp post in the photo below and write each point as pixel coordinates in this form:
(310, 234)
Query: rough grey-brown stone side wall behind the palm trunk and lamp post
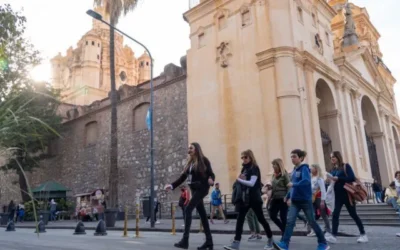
(84, 168)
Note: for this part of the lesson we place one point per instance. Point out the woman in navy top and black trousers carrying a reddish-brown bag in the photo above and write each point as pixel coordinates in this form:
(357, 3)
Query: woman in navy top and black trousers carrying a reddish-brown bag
(341, 174)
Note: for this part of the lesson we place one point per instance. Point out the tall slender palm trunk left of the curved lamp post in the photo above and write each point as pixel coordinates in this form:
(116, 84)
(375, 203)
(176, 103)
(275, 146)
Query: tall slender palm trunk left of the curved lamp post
(113, 178)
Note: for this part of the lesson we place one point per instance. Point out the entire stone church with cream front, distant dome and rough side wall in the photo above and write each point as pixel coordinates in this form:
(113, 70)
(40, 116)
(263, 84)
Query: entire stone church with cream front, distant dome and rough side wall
(266, 75)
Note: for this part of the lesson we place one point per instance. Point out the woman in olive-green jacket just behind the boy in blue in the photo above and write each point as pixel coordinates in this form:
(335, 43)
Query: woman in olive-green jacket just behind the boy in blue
(280, 181)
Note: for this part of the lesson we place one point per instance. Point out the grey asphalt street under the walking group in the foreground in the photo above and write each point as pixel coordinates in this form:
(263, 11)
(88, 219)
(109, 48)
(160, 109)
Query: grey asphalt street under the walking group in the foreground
(24, 239)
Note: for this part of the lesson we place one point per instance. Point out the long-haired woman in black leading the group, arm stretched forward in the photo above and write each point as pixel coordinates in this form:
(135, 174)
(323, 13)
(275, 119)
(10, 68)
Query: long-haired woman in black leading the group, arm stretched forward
(199, 177)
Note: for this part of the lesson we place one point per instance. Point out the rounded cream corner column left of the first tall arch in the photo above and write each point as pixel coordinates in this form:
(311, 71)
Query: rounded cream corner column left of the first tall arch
(289, 103)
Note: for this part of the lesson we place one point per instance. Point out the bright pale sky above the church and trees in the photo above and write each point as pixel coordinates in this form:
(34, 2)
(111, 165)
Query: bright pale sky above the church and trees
(55, 25)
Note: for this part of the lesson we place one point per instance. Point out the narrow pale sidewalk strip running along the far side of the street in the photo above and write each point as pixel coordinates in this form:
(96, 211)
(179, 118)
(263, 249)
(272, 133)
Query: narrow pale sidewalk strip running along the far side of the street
(166, 224)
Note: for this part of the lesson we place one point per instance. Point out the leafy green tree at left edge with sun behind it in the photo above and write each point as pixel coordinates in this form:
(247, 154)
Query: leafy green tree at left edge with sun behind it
(28, 110)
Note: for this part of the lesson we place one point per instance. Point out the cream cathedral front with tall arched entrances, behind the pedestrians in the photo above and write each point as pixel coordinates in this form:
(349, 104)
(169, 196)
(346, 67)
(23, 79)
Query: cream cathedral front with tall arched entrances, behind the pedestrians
(276, 75)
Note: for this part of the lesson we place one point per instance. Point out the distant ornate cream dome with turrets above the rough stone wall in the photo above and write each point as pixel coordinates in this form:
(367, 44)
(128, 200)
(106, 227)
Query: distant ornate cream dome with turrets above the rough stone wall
(83, 74)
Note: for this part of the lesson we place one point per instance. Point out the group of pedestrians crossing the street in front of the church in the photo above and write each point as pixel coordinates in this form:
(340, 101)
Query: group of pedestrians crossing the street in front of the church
(302, 190)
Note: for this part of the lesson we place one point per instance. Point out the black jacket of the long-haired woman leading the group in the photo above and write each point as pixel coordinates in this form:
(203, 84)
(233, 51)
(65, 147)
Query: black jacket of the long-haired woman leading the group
(199, 180)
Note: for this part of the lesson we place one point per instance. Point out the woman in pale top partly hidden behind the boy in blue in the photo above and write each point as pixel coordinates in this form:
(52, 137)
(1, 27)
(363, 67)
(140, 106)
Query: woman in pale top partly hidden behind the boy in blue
(319, 197)
